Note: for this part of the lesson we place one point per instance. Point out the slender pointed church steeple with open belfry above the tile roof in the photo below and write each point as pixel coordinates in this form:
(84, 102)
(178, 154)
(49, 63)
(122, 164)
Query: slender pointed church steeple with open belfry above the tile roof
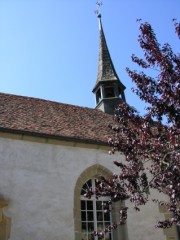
(108, 89)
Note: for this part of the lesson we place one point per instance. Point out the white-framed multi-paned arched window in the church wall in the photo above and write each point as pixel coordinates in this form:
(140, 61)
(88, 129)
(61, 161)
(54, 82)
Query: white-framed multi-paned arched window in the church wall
(93, 216)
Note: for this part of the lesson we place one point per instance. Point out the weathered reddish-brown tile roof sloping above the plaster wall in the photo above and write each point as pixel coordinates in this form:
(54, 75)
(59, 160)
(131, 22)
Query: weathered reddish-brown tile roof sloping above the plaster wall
(41, 117)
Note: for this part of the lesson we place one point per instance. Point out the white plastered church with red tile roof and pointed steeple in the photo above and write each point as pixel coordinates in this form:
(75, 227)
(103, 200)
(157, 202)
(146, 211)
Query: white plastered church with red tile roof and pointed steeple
(50, 153)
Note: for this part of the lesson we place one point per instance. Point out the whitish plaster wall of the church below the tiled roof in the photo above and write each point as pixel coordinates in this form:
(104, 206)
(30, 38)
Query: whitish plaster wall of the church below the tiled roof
(39, 179)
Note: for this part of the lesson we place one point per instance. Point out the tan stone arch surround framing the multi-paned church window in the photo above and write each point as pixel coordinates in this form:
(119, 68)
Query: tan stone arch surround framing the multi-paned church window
(90, 174)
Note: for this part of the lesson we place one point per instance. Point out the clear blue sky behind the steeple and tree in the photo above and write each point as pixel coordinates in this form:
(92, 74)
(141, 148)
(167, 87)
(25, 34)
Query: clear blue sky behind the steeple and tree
(49, 48)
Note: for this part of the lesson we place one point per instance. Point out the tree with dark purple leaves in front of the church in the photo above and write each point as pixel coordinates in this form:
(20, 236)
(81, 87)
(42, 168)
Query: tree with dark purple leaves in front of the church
(150, 143)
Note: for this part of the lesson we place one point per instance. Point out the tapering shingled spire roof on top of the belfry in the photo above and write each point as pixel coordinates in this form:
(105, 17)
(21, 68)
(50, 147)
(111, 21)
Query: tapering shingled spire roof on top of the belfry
(106, 70)
